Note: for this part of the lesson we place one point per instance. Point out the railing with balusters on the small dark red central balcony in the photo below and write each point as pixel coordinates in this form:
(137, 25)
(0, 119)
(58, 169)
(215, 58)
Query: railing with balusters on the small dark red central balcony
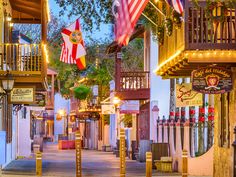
(134, 80)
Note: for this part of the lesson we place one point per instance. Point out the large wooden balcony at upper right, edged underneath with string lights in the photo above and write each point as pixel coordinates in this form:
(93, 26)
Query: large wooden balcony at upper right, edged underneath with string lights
(200, 41)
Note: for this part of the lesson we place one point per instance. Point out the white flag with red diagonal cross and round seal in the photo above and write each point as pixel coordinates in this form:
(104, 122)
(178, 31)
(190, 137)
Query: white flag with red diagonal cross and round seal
(73, 50)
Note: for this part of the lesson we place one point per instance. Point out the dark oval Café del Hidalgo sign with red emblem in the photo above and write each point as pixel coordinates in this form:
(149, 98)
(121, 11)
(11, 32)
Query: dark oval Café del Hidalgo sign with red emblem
(212, 80)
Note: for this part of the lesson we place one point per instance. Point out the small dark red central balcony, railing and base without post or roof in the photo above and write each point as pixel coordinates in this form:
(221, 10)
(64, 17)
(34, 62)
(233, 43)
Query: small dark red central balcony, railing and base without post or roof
(133, 86)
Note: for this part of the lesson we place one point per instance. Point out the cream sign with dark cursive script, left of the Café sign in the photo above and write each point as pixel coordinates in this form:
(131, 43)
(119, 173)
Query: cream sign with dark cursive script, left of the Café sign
(186, 96)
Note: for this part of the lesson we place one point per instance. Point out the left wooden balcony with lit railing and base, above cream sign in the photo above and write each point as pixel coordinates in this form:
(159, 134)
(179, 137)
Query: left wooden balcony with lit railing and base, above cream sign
(25, 62)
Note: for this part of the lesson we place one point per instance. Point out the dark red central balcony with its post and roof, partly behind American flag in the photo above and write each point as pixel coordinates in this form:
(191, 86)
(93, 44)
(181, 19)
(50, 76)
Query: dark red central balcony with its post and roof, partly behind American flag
(135, 84)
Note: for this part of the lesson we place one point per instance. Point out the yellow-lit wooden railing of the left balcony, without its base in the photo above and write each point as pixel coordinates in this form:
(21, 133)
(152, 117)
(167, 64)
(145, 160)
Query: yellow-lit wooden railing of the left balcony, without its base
(22, 58)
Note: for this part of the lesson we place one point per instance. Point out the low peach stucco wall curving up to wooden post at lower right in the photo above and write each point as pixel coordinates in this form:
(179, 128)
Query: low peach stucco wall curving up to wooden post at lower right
(202, 165)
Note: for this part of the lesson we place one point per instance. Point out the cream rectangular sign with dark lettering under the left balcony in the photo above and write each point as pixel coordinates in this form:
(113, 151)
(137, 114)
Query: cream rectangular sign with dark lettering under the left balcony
(22, 95)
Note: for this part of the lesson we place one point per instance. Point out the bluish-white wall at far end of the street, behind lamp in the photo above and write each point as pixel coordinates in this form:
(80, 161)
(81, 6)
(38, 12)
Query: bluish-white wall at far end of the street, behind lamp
(60, 103)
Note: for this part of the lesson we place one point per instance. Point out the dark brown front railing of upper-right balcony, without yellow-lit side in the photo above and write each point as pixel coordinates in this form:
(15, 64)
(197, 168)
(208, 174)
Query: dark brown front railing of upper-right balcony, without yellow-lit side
(204, 31)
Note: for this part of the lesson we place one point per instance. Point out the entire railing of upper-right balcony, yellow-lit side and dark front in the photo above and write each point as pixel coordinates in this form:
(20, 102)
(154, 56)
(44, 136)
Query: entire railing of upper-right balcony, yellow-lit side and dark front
(200, 31)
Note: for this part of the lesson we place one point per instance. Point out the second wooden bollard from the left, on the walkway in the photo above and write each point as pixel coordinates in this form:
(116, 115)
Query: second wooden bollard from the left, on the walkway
(78, 154)
